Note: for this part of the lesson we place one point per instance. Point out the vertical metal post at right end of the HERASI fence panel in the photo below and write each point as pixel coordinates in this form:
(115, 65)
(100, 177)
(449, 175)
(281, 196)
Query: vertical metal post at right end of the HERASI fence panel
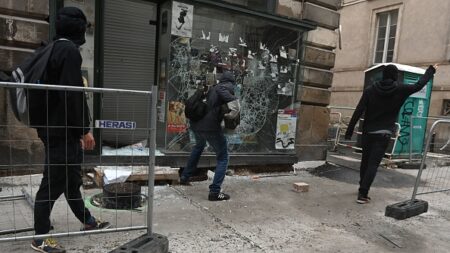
(151, 167)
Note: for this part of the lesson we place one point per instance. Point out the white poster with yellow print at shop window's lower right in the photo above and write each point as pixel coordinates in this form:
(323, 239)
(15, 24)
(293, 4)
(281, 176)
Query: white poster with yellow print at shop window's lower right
(286, 128)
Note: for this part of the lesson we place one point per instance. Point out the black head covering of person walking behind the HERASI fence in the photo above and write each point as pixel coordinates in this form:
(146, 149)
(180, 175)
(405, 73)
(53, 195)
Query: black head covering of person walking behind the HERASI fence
(71, 24)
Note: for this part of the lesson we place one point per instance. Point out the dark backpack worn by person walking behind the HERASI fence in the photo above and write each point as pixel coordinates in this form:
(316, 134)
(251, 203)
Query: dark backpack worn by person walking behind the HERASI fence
(30, 105)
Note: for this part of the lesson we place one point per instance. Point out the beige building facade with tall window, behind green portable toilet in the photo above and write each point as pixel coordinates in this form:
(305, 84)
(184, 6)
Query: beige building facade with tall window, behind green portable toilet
(410, 32)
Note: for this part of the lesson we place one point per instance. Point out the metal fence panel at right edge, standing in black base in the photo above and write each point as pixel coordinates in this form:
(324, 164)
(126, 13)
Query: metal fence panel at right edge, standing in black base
(437, 177)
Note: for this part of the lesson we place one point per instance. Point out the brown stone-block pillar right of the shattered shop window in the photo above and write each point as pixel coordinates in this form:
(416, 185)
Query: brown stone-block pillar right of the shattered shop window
(314, 93)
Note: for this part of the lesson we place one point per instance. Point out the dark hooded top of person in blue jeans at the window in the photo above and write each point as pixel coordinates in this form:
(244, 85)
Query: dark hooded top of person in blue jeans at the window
(217, 95)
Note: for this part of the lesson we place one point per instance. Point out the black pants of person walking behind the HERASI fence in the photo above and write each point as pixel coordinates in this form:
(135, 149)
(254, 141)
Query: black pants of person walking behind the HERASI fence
(62, 174)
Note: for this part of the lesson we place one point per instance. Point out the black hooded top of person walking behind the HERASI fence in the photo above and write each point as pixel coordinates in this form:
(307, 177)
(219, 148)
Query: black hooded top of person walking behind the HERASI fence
(68, 113)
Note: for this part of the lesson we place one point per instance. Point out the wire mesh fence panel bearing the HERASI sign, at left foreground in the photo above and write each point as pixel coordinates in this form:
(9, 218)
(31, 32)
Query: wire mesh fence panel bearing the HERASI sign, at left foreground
(127, 206)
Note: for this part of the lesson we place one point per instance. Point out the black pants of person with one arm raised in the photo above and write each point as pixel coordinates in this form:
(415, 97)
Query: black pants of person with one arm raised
(374, 147)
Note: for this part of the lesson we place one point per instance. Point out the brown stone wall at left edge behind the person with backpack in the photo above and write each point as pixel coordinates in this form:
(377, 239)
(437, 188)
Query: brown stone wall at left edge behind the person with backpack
(23, 26)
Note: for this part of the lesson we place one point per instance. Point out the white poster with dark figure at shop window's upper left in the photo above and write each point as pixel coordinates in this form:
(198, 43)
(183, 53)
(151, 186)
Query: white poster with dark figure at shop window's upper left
(182, 17)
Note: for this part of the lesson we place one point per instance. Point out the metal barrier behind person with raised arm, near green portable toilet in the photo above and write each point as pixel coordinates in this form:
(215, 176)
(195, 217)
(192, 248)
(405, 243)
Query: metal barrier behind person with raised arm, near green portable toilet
(341, 127)
